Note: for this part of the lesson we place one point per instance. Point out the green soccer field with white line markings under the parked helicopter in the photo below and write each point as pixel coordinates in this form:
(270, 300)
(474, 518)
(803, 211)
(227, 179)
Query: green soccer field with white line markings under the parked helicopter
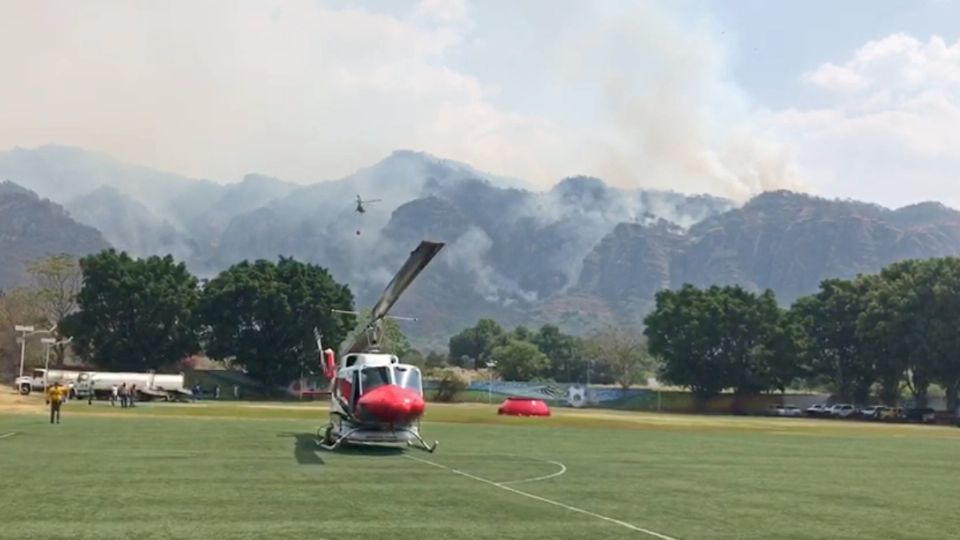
(249, 471)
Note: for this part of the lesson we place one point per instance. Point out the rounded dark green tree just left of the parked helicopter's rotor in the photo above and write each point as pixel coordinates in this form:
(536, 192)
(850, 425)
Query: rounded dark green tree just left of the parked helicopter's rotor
(262, 314)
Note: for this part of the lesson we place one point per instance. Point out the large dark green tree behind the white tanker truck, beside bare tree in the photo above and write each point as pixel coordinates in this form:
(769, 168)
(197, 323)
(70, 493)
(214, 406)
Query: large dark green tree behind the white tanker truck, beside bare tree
(134, 314)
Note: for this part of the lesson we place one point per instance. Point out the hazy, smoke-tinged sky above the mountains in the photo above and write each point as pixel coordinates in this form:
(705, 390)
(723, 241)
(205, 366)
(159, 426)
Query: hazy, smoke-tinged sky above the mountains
(853, 99)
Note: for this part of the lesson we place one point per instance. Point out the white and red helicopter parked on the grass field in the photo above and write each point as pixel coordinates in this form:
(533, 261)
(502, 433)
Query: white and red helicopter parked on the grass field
(373, 397)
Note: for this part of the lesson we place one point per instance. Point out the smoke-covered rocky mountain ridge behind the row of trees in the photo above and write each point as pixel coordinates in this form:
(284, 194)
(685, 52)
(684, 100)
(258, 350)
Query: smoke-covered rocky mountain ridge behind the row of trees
(579, 254)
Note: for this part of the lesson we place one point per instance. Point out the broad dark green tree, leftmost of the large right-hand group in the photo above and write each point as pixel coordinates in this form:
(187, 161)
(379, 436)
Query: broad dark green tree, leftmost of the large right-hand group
(722, 337)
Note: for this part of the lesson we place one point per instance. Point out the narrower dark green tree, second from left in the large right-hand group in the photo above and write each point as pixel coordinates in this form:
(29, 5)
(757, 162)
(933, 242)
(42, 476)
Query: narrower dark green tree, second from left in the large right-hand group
(835, 350)
